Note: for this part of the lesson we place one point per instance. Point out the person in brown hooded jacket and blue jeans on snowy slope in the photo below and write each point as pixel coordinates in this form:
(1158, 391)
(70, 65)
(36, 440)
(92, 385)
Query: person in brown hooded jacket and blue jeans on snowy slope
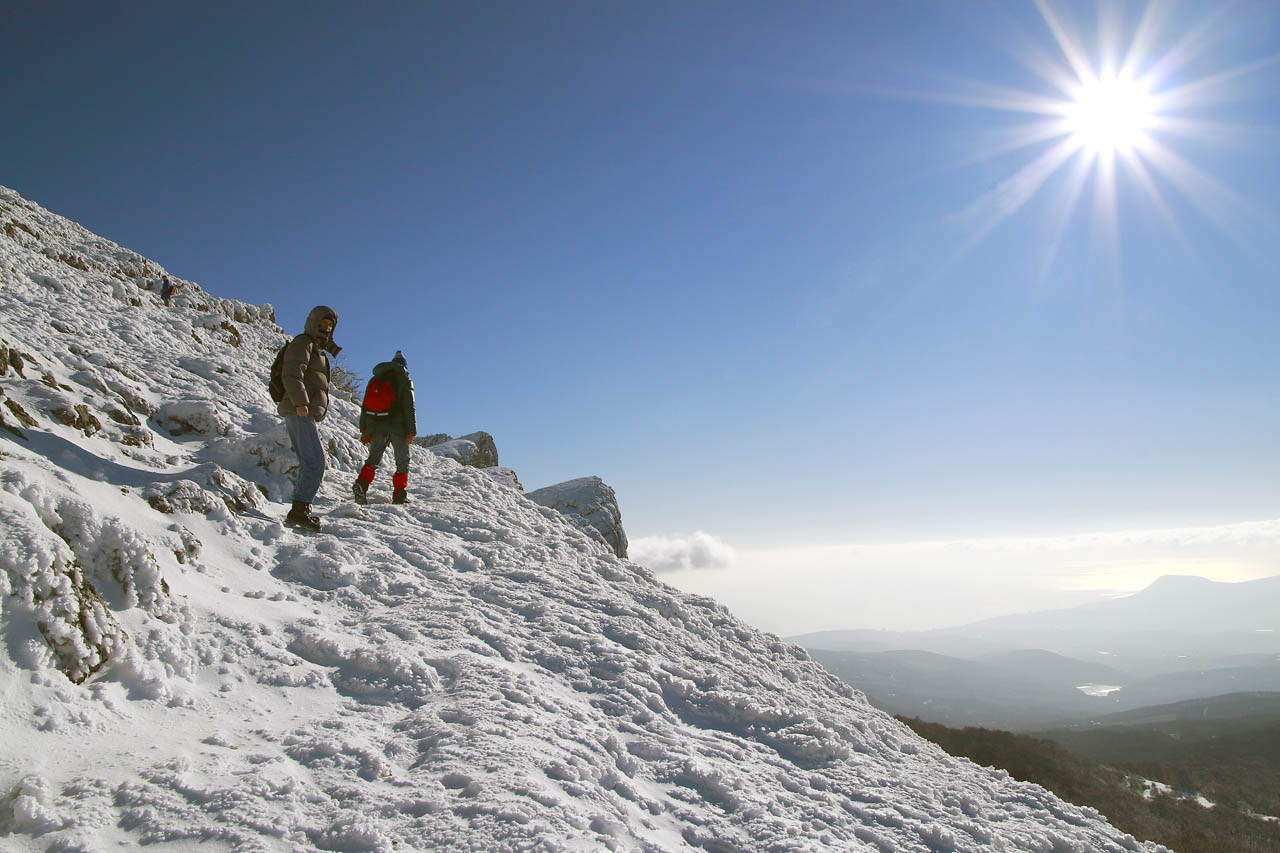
(305, 373)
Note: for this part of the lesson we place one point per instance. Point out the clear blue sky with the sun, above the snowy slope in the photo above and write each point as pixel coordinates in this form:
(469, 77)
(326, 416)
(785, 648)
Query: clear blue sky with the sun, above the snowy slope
(790, 275)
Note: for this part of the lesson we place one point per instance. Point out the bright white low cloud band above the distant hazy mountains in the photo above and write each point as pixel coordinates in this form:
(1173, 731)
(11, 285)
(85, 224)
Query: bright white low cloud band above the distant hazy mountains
(920, 586)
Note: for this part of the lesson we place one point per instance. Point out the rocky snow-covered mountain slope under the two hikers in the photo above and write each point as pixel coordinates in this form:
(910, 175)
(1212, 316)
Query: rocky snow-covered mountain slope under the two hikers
(465, 673)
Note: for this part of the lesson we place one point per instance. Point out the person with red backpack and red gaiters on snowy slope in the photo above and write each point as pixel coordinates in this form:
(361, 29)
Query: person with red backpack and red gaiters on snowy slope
(382, 425)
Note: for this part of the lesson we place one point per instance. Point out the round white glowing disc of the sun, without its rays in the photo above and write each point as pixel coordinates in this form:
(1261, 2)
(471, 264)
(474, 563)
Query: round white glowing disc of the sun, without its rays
(1110, 115)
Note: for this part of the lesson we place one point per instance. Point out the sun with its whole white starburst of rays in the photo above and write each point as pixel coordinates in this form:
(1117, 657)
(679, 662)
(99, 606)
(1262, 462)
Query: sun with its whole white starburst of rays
(1121, 99)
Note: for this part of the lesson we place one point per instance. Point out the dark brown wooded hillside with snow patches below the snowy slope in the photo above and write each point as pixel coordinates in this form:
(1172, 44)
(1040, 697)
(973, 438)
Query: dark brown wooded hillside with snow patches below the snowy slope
(1240, 773)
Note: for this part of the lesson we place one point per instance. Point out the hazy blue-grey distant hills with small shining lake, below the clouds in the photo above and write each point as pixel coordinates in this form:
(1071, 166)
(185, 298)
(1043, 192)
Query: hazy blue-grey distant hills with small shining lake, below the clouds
(1178, 640)
